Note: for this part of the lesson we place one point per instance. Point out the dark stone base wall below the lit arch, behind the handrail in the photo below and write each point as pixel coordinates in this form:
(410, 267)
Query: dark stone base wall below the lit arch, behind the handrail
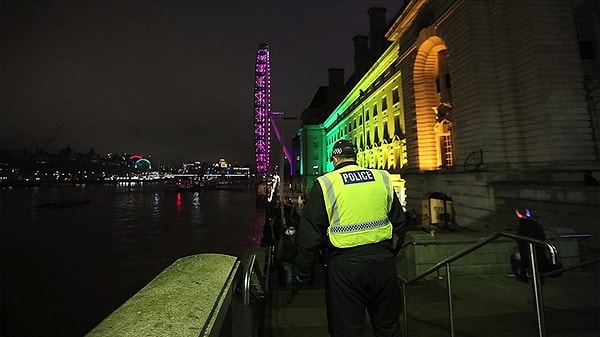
(483, 201)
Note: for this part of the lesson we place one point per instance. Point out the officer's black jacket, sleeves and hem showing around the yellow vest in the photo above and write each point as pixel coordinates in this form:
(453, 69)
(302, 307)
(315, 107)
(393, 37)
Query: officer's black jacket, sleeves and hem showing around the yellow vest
(312, 232)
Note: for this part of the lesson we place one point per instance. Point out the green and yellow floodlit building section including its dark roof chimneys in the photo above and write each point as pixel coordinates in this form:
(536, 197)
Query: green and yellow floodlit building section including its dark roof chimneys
(366, 110)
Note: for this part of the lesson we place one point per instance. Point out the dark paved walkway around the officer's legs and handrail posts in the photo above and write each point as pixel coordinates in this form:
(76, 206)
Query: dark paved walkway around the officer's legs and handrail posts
(484, 306)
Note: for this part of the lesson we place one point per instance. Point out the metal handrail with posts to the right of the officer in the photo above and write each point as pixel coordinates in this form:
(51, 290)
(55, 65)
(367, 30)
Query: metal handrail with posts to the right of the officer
(536, 285)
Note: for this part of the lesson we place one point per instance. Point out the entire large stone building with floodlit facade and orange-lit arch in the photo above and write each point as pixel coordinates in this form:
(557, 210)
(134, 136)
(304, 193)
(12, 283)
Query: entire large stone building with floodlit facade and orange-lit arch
(492, 103)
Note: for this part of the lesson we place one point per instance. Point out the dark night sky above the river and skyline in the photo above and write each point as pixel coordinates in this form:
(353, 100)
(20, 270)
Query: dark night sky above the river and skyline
(173, 79)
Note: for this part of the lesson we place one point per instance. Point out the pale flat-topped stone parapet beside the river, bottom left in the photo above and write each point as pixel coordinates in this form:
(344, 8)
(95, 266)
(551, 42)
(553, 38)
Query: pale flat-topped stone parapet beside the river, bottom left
(189, 298)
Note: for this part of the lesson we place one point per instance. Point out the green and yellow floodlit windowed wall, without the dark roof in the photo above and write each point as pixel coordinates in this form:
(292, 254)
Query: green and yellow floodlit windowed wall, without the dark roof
(371, 116)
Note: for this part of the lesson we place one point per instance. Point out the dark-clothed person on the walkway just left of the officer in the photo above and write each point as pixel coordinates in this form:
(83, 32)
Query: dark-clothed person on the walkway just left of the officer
(287, 250)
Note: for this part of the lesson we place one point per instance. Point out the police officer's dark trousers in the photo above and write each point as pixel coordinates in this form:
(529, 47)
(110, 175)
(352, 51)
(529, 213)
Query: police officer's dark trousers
(359, 283)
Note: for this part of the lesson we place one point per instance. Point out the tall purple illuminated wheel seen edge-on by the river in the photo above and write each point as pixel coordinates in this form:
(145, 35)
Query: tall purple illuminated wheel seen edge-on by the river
(262, 109)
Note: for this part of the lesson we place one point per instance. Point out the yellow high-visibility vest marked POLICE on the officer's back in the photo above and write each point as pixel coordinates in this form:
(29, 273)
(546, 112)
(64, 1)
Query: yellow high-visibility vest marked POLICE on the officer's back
(358, 201)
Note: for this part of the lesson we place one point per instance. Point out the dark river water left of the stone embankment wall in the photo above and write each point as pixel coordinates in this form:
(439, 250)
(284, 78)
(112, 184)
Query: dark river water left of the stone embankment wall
(64, 269)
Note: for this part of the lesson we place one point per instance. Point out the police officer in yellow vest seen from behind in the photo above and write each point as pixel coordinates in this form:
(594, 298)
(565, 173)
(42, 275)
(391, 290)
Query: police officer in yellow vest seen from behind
(352, 215)
